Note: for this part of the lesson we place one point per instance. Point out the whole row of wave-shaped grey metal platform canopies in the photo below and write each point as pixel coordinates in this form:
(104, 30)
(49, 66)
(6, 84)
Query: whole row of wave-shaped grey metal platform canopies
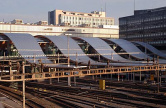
(100, 53)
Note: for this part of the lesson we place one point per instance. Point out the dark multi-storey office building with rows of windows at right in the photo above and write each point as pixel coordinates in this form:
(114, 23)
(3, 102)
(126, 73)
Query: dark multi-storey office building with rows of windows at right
(145, 25)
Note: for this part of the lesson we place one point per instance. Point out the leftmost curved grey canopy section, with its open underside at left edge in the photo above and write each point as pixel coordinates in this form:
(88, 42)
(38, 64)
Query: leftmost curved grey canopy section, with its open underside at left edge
(25, 45)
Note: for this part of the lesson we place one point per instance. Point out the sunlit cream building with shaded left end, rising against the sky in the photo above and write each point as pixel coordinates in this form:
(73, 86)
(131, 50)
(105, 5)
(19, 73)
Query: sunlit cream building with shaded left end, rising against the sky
(66, 18)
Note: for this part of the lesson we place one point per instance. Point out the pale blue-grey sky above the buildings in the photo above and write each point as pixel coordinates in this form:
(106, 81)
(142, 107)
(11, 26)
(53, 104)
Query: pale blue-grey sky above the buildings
(31, 11)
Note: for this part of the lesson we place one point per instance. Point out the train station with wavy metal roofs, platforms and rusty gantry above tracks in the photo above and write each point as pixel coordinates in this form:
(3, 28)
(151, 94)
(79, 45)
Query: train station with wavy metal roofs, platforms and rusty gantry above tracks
(41, 58)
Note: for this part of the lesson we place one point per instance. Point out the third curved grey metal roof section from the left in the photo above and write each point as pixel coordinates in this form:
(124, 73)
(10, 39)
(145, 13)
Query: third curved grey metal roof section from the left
(104, 49)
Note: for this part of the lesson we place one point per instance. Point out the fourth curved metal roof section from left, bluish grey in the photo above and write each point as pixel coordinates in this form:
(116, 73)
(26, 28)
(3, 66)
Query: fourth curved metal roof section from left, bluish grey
(130, 48)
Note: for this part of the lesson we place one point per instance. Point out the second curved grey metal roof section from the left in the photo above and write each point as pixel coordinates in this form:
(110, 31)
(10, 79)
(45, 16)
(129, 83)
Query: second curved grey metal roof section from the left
(62, 43)
